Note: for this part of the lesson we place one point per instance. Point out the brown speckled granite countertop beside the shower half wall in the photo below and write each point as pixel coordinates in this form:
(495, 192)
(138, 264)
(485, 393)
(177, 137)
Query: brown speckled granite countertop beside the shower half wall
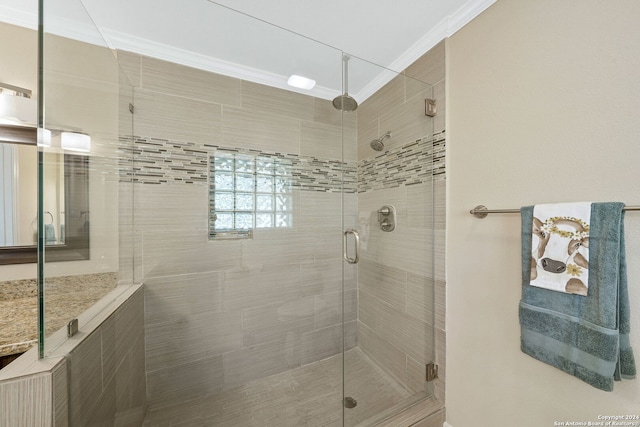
(65, 298)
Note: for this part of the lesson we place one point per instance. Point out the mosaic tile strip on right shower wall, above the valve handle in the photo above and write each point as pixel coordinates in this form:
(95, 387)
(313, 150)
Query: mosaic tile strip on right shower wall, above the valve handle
(413, 163)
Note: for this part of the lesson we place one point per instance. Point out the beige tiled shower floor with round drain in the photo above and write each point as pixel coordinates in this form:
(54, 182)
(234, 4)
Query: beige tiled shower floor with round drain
(309, 396)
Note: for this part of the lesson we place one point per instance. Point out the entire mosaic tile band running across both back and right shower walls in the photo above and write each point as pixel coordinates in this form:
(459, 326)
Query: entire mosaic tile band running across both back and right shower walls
(160, 161)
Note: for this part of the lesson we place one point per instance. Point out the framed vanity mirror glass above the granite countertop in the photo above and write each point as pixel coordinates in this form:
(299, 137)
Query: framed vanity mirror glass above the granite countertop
(65, 197)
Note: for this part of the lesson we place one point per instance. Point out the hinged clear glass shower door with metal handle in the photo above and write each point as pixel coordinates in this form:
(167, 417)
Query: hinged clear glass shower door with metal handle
(389, 300)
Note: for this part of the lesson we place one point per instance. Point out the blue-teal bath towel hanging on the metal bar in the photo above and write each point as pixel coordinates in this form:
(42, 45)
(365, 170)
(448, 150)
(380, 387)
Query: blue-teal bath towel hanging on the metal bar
(587, 337)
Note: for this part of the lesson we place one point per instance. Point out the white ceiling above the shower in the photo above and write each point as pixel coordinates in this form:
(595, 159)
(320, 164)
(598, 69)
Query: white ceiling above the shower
(263, 40)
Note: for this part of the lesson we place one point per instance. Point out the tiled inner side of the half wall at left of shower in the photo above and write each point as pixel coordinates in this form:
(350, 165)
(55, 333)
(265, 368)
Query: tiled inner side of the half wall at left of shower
(105, 380)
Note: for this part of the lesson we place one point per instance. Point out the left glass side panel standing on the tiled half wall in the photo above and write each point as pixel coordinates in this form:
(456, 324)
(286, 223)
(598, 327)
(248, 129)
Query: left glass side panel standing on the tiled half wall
(89, 248)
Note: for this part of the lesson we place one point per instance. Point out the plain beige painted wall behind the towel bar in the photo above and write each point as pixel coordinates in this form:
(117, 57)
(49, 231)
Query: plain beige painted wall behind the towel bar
(542, 107)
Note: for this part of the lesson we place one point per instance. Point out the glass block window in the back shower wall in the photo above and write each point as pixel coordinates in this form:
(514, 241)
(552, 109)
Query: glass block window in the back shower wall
(248, 192)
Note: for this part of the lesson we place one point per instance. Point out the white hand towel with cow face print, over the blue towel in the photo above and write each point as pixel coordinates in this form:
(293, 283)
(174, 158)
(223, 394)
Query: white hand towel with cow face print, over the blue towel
(560, 254)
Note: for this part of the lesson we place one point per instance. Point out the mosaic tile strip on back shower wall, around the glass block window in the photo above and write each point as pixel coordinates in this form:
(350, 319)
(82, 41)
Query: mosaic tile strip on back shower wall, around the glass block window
(160, 161)
